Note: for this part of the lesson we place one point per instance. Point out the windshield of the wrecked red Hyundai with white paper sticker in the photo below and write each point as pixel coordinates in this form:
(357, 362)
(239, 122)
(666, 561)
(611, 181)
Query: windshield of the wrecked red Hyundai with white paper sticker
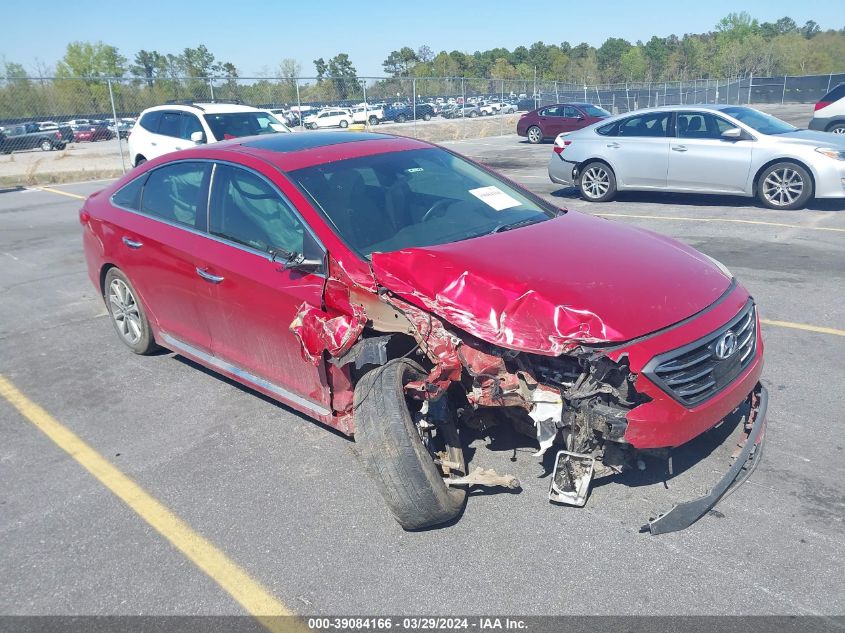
(416, 198)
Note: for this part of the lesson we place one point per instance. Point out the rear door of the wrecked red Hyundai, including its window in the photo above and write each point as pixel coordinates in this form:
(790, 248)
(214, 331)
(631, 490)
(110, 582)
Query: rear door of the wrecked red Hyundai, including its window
(156, 237)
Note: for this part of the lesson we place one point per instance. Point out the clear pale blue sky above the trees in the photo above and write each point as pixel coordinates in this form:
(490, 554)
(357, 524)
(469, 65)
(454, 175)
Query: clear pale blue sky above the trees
(256, 36)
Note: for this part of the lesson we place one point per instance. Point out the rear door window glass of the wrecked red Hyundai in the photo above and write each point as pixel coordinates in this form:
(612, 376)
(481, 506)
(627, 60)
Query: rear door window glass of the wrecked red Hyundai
(176, 192)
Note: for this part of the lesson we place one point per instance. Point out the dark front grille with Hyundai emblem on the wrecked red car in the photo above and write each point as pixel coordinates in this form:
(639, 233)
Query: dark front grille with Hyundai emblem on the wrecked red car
(696, 372)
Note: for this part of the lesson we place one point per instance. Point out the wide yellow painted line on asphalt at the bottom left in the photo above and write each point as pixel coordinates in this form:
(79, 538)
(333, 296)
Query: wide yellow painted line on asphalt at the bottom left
(235, 581)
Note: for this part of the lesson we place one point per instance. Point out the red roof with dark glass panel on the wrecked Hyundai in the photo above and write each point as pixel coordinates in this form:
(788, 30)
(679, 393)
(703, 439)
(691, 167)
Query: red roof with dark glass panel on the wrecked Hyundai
(297, 150)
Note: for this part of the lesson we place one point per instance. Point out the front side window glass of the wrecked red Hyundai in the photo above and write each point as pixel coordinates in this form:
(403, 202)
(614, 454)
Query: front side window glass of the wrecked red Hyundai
(246, 209)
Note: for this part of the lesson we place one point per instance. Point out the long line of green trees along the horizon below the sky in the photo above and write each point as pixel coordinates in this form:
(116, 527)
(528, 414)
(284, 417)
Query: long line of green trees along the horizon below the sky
(737, 46)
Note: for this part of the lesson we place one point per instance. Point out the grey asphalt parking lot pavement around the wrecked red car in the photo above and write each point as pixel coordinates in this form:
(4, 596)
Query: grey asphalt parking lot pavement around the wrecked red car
(288, 501)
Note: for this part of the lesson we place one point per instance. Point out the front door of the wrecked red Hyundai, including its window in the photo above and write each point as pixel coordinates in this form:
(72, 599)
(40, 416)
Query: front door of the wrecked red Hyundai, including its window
(254, 299)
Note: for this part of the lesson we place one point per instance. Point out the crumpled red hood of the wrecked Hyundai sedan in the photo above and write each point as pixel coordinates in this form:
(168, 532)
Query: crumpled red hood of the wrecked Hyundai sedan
(547, 287)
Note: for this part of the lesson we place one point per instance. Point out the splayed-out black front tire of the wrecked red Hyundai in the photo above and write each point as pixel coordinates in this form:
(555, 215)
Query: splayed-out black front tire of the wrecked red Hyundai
(394, 454)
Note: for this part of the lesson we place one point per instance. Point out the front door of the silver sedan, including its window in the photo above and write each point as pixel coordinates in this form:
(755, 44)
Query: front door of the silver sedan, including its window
(701, 160)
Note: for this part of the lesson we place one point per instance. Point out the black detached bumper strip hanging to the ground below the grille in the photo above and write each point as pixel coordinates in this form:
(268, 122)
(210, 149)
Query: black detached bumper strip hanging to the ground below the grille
(685, 514)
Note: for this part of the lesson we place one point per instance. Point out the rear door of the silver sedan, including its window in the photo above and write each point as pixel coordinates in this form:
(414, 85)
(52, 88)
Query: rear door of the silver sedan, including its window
(639, 150)
